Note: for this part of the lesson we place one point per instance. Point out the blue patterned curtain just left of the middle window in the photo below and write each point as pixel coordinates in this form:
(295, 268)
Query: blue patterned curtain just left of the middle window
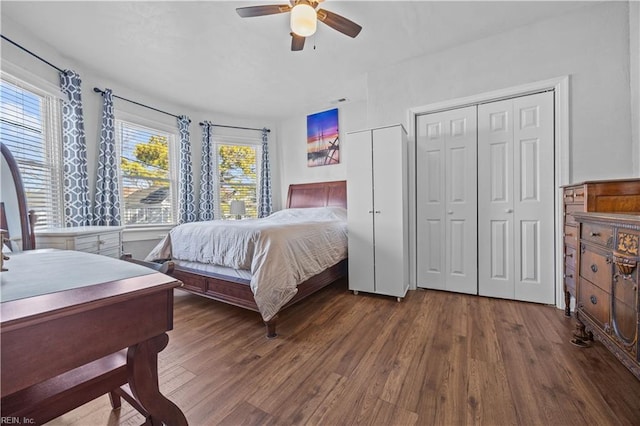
(106, 209)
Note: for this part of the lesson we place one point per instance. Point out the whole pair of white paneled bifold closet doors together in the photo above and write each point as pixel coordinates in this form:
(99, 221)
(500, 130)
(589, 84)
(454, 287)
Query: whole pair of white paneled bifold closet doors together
(485, 199)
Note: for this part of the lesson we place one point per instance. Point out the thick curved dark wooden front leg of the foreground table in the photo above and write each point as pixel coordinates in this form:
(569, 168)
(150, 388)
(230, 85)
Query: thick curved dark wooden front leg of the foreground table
(142, 369)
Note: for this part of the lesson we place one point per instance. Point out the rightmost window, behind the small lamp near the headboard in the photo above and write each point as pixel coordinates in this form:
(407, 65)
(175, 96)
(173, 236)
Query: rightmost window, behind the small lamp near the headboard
(238, 176)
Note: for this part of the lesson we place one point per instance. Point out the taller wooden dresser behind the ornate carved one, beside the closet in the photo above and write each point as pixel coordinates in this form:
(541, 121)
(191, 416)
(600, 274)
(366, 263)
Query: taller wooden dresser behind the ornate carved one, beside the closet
(622, 195)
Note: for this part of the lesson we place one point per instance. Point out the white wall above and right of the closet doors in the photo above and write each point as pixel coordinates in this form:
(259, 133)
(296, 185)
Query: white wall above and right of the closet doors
(590, 44)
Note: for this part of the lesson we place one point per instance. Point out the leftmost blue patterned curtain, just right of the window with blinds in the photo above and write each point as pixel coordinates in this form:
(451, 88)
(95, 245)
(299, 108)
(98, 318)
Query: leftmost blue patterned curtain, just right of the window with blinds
(77, 206)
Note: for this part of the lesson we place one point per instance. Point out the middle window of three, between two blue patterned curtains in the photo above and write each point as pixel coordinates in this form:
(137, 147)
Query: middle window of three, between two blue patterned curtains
(147, 174)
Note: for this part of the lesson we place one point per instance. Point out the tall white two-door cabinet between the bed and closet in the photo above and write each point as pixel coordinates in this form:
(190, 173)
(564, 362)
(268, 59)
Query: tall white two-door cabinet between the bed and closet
(377, 200)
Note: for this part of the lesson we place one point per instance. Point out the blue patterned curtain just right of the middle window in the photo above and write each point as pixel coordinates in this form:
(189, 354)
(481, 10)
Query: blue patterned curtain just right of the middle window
(186, 196)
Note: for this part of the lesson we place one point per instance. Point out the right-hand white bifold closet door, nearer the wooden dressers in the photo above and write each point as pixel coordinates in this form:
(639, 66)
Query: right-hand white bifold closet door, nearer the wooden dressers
(516, 199)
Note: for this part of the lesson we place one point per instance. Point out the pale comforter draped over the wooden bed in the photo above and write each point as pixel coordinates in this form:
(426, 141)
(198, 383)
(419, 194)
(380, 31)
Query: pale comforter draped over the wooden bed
(281, 251)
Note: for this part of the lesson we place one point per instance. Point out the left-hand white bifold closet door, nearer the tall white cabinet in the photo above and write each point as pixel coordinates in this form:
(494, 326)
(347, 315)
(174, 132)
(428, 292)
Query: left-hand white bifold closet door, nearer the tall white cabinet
(447, 201)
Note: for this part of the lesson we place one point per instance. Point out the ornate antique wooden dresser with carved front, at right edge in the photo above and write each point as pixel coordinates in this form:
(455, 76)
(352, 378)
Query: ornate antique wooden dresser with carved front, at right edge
(607, 307)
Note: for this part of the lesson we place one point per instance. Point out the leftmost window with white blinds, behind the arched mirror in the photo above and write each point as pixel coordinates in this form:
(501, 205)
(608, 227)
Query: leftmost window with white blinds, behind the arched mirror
(30, 127)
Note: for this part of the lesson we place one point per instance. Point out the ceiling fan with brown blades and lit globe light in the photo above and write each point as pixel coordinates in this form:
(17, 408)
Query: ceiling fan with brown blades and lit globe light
(304, 17)
